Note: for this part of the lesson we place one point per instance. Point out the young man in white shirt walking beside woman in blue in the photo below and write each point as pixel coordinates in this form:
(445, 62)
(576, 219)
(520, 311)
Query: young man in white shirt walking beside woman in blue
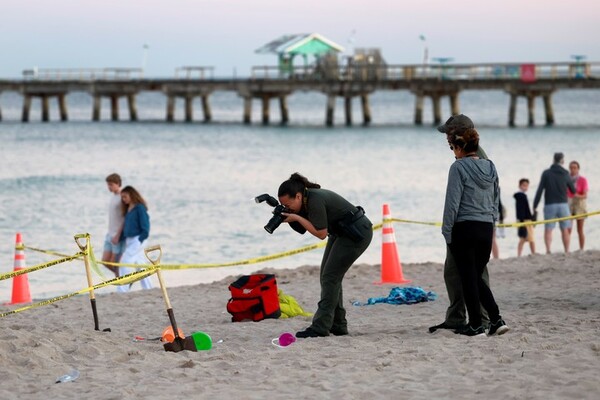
(113, 246)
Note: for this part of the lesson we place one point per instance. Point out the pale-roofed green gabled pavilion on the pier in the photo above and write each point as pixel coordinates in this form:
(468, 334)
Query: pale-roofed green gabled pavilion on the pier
(287, 47)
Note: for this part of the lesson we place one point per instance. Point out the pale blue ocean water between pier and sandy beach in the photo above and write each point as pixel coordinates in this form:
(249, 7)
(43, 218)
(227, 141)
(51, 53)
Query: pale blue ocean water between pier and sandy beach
(200, 179)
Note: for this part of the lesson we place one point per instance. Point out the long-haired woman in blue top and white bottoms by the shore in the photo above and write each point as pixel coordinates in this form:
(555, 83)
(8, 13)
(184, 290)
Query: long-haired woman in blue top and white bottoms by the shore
(136, 230)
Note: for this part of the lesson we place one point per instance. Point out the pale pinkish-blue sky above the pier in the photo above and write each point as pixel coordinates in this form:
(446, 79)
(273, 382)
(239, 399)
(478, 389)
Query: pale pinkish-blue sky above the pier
(162, 35)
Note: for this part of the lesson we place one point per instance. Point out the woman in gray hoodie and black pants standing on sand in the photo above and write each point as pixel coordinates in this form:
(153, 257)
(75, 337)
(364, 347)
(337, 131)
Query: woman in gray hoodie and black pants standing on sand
(470, 210)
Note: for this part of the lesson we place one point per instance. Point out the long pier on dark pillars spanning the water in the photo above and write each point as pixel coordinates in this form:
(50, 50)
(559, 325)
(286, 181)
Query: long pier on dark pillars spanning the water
(266, 83)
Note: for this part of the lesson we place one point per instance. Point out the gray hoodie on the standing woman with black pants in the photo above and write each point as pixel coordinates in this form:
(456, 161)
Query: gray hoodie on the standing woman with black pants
(472, 194)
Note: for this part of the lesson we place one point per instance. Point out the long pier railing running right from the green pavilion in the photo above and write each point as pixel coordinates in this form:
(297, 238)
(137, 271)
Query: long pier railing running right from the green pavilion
(496, 71)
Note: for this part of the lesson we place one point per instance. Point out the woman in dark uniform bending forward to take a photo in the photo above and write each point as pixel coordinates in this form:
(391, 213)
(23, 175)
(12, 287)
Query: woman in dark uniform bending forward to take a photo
(324, 213)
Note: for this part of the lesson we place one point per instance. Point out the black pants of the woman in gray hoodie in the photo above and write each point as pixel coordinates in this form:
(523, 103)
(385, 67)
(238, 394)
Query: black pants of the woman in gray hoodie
(471, 247)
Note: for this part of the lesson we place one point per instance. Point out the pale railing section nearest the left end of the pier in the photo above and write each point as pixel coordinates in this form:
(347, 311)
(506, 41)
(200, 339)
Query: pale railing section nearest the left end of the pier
(82, 74)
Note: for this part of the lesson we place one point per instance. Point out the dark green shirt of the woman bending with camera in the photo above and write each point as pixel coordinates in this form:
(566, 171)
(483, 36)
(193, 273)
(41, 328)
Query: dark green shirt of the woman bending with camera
(324, 207)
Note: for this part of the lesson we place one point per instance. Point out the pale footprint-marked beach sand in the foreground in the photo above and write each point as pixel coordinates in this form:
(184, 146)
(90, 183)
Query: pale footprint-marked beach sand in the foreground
(550, 302)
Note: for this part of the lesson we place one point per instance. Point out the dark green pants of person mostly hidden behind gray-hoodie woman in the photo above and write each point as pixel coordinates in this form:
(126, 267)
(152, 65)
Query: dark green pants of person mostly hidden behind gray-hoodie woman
(456, 315)
